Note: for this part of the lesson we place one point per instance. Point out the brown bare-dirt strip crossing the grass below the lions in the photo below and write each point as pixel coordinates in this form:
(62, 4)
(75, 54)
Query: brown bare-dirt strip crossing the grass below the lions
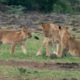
(42, 65)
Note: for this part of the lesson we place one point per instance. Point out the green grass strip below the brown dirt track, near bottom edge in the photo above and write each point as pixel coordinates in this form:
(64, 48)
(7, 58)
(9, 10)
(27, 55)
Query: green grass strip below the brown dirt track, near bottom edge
(31, 74)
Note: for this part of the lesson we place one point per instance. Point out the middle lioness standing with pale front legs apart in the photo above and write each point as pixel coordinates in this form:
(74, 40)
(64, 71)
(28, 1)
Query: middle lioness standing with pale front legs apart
(51, 34)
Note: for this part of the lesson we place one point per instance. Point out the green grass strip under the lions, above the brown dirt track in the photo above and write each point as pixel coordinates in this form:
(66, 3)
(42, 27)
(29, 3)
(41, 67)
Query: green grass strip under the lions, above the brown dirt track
(32, 48)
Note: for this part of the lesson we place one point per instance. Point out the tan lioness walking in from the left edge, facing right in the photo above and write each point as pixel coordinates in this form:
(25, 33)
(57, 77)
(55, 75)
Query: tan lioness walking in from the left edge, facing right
(14, 37)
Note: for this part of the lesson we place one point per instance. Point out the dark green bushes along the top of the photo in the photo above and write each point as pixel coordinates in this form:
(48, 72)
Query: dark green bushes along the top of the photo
(59, 6)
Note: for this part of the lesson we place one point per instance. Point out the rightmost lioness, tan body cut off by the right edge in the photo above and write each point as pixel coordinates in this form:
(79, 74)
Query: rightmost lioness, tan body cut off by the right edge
(68, 42)
